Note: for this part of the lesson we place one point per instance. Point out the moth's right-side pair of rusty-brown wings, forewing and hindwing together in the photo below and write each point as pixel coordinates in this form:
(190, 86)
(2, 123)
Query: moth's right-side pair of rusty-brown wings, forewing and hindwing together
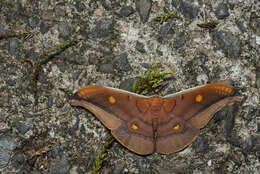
(186, 112)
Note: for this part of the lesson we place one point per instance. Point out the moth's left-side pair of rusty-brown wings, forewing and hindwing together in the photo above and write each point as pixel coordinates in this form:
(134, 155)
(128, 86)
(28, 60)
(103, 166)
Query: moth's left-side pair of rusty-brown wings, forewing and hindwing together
(117, 110)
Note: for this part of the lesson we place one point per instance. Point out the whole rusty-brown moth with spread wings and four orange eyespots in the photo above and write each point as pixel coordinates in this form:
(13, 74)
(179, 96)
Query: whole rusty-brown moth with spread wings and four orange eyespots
(145, 124)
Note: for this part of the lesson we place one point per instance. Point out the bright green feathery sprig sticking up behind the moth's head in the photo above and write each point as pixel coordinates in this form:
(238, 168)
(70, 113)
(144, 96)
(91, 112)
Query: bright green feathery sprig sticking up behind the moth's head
(152, 81)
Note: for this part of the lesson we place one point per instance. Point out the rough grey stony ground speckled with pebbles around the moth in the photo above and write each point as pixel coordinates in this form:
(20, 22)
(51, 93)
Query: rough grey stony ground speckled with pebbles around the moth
(120, 40)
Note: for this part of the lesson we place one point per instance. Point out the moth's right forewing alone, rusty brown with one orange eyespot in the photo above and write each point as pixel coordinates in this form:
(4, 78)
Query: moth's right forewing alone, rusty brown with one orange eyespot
(199, 104)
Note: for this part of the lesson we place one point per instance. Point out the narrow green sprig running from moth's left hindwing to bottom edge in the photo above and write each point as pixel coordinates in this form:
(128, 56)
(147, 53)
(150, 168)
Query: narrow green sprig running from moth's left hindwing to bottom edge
(101, 156)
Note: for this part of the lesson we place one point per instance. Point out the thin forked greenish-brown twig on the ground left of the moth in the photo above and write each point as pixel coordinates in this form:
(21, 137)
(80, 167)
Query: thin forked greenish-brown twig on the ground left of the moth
(44, 58)
